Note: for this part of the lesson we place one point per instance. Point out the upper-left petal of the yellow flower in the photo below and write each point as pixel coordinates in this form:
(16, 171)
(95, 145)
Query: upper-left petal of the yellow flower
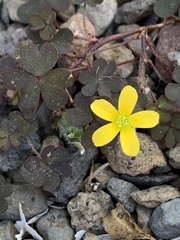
(104, 110)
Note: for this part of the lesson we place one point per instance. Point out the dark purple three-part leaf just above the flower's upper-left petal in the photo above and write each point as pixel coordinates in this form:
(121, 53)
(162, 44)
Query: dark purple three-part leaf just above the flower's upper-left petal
(100, 79)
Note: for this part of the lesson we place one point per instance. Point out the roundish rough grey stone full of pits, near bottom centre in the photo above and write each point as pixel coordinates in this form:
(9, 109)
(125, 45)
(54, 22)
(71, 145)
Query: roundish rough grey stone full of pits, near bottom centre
(88, 209)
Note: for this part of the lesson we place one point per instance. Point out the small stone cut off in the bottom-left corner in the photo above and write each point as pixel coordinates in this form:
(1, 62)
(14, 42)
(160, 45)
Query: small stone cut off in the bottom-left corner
(7, 230)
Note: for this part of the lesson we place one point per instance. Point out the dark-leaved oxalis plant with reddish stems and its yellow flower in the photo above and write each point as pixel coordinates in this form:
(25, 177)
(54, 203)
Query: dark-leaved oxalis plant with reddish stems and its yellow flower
(80, 96)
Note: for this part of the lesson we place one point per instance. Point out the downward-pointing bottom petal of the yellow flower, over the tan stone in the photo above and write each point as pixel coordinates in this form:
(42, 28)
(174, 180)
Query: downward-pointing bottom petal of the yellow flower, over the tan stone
(129, 141)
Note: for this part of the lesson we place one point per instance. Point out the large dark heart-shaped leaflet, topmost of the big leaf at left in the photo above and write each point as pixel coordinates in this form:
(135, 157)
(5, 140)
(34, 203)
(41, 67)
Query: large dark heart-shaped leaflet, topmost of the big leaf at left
(36, 61)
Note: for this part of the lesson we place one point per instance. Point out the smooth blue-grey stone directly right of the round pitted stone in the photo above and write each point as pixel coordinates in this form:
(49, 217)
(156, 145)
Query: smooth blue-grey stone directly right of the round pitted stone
(121, 190)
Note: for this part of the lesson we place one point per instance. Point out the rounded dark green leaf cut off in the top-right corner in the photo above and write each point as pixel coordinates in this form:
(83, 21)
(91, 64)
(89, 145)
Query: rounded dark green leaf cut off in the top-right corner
(166, 8)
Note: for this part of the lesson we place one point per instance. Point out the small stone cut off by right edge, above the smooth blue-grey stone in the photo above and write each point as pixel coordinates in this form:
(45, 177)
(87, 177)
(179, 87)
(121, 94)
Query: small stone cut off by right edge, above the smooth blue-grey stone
(174, 157)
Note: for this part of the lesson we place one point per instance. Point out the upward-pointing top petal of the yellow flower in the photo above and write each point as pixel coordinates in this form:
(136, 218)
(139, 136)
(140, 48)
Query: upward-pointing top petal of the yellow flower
(127, 100)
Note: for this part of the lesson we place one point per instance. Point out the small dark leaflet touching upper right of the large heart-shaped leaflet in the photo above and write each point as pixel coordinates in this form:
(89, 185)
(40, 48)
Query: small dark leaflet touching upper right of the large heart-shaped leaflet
(62, 40)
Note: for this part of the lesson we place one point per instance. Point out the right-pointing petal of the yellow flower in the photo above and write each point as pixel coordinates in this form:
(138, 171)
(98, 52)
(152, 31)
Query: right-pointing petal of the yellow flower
(144, 119)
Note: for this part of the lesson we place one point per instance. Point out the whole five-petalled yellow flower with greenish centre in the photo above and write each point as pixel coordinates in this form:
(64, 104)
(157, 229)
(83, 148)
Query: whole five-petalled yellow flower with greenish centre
(122, 121)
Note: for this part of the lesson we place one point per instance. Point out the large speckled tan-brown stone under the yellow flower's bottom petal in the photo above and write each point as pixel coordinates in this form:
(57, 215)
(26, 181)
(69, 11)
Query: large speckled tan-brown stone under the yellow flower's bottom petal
(149, 157)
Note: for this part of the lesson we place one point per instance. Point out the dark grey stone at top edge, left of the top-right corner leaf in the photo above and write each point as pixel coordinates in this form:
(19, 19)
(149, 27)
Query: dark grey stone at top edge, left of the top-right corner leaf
(134, 11)
